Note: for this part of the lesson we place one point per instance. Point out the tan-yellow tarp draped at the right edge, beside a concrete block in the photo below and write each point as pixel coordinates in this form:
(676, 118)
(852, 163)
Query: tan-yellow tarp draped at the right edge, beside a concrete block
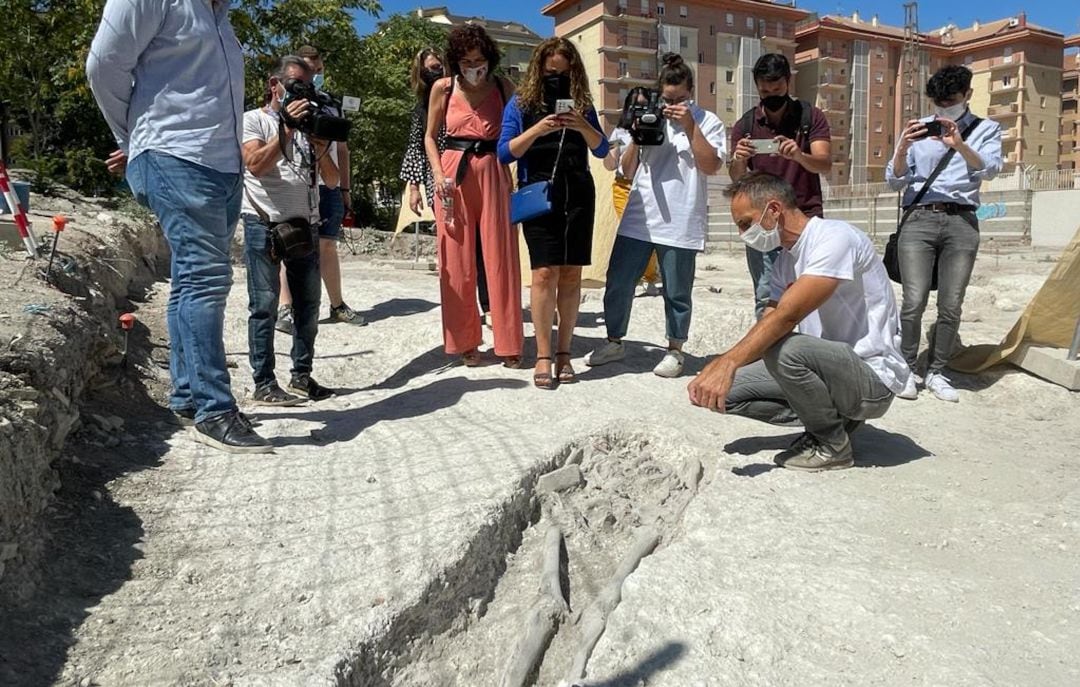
(1049, 320)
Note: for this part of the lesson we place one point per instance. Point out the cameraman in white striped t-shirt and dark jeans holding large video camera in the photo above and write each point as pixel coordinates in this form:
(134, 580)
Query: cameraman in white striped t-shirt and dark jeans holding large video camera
(280, 214)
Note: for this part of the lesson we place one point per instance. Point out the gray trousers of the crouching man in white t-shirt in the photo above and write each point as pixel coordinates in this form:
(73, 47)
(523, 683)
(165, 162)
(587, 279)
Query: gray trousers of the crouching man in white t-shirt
(819, 384)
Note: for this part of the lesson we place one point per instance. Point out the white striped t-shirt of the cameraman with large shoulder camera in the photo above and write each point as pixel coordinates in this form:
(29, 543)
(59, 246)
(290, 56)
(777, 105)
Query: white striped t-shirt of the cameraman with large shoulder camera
(285, 192)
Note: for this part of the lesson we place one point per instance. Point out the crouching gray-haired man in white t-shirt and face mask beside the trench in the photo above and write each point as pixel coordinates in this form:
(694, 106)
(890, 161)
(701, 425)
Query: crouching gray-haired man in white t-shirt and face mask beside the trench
(827, 352)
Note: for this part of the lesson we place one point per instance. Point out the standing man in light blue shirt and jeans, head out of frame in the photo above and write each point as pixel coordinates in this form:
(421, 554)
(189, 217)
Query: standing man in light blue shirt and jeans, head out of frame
(170, 82)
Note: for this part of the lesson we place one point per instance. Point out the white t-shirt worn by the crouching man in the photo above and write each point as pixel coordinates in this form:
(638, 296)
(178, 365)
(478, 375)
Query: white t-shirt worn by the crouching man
(862, 312)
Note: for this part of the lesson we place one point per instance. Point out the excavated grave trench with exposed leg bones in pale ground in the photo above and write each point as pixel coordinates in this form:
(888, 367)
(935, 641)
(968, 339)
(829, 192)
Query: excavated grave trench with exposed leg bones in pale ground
(531, 599)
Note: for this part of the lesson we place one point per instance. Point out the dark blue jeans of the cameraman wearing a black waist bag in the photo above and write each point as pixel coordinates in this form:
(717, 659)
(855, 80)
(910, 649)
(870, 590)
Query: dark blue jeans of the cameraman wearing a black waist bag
(264, 290)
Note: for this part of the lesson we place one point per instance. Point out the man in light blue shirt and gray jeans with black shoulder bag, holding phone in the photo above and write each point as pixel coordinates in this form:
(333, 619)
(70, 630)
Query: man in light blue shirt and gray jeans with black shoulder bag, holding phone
(940, 164)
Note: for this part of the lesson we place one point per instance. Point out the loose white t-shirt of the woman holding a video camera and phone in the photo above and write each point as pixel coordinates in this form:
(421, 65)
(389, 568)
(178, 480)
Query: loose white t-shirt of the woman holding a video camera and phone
(668, 201)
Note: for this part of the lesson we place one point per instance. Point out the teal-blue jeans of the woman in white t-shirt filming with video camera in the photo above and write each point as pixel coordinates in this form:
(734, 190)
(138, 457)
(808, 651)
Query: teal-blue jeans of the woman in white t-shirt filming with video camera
(629, 260)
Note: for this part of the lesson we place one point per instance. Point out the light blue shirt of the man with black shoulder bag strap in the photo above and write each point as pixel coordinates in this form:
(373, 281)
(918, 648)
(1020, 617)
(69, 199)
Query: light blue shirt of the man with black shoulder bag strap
(958, 183)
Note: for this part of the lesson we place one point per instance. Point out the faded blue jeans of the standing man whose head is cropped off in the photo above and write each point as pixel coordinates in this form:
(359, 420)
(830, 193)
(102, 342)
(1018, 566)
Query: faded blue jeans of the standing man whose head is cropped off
(198, 209)
